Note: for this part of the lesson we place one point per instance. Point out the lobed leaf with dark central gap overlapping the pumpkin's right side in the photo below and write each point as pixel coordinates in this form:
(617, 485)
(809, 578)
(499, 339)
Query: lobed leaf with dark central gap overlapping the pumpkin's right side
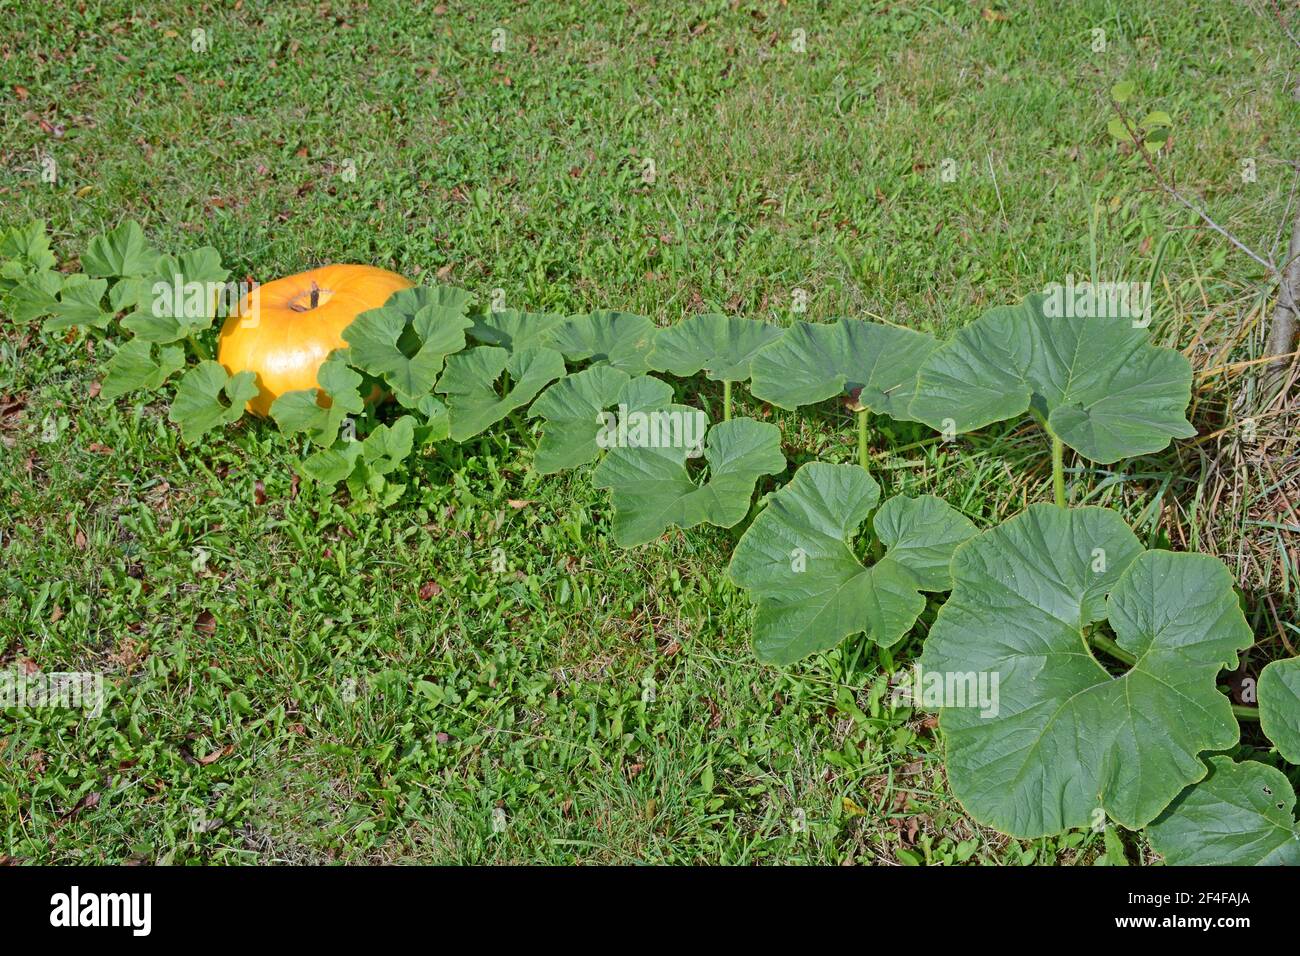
(409, 339)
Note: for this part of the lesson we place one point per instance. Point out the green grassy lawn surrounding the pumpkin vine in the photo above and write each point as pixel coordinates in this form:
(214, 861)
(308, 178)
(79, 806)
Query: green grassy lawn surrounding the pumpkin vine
(298, 678)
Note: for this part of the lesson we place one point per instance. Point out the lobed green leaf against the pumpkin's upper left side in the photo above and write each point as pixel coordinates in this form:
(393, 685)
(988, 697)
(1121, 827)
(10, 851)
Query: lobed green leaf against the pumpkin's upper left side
(188, 280)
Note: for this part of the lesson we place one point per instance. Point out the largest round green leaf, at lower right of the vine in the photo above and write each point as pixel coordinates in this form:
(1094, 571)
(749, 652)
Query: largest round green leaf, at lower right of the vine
(1064, 738)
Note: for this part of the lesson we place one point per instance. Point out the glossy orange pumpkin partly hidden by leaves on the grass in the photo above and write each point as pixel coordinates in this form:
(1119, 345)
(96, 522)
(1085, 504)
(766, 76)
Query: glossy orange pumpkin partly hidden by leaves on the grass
(285, 330)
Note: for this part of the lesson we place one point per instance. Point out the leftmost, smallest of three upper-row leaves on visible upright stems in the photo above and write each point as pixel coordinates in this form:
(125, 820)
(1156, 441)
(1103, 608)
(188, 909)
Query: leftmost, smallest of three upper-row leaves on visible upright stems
(721, 345)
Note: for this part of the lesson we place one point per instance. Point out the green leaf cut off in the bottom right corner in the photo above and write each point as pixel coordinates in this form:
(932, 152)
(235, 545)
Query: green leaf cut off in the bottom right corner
(1241, 815)
